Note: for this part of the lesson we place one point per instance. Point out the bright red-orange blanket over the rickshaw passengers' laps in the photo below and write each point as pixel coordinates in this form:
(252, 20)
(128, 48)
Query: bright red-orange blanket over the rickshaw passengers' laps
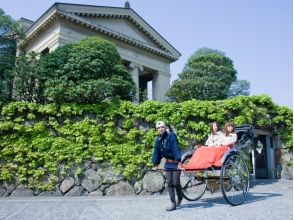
(205, 157)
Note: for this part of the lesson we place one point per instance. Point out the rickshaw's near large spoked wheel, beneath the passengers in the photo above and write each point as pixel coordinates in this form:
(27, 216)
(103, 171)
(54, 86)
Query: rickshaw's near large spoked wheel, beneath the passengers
(234, 179)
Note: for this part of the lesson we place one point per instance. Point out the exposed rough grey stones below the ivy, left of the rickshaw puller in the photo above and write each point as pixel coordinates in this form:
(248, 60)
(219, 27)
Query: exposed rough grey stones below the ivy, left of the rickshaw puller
(95, 180)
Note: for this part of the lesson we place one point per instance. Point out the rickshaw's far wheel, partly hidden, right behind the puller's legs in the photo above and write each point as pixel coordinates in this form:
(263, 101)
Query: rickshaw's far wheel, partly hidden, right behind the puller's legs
(192, 183)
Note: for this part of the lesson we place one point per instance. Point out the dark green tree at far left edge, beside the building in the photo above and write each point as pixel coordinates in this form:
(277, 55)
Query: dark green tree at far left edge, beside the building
(10, 30)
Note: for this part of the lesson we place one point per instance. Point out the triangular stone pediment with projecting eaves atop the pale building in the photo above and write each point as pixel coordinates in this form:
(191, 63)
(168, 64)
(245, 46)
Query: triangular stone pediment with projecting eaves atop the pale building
(123, 24)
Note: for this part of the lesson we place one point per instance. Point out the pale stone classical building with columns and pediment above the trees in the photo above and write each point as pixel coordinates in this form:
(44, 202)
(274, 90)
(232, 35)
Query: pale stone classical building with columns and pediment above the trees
(144, 52)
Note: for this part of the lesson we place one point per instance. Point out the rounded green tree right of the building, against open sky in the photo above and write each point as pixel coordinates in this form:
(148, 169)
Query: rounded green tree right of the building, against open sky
(207, 75)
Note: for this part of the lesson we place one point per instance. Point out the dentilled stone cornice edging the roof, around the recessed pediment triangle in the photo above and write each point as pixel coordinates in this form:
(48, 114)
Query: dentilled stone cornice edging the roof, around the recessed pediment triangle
(55, 13)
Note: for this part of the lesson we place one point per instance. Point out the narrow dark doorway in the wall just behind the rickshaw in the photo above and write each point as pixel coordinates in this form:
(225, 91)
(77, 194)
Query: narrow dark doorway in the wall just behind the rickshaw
(260, 147)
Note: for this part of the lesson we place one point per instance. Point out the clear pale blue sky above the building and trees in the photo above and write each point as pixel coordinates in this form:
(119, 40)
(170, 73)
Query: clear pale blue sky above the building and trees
(256, 35)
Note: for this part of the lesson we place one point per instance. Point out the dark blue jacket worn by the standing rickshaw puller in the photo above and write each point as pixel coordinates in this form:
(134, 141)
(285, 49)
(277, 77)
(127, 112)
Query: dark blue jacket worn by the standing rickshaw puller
(167, 147)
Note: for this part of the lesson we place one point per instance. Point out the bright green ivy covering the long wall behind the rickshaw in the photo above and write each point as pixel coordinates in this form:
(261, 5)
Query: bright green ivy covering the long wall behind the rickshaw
(51, 140)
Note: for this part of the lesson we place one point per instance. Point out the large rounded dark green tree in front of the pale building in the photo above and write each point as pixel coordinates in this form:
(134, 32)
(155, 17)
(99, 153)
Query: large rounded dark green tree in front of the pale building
(86, 72)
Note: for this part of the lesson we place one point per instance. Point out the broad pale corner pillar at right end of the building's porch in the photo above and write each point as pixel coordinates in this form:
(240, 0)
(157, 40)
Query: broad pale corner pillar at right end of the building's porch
(161, 84)
